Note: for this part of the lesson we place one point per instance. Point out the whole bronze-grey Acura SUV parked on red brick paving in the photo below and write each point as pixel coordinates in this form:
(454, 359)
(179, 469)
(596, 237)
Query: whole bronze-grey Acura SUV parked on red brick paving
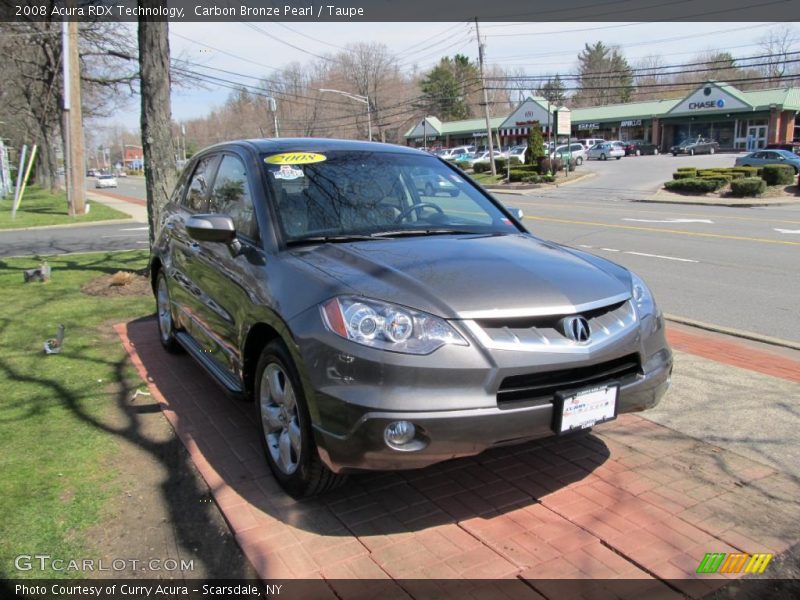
(378, 324)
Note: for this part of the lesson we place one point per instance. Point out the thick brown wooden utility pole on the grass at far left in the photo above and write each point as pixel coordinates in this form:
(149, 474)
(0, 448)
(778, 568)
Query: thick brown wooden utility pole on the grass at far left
(73, 119)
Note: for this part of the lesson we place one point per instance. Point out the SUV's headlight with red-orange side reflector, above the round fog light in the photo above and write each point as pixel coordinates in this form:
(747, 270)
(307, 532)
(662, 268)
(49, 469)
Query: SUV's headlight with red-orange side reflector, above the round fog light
(387, 326)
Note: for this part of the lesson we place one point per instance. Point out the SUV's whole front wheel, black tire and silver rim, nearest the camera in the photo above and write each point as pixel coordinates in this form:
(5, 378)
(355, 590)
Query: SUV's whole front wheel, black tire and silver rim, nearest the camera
(286, 434)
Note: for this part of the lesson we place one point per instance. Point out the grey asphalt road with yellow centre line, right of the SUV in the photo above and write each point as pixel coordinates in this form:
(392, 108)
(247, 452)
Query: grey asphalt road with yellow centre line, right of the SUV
(735, 267)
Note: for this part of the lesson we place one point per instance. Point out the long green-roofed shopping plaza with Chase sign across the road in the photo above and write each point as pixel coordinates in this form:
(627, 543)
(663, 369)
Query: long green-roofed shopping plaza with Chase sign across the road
(737, 119)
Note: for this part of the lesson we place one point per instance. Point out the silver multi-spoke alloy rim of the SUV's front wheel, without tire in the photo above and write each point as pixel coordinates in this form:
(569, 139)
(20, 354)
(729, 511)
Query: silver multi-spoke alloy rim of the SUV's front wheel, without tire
(279, 418)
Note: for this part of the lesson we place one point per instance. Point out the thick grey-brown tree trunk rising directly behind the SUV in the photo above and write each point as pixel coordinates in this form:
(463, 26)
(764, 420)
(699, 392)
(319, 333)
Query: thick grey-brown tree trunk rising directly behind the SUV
(156, 117)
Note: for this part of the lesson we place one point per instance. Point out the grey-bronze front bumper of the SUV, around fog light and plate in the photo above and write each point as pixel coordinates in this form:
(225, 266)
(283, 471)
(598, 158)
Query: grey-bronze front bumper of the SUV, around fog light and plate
(450, 396)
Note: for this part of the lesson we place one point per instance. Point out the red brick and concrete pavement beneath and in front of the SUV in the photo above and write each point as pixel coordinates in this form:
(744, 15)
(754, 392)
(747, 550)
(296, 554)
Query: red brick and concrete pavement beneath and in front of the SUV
(635, 499)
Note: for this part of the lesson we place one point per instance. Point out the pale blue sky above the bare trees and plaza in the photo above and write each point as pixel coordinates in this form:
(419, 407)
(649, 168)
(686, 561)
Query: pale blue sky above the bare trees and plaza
(253, 48)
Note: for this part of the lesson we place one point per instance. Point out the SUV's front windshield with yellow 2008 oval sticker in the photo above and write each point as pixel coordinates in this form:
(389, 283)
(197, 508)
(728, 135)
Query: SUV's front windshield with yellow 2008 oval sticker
(348, 193)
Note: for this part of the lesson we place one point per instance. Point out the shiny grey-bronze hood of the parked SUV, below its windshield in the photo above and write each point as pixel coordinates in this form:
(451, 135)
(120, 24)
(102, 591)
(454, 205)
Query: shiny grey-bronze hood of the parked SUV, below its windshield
(471, 276)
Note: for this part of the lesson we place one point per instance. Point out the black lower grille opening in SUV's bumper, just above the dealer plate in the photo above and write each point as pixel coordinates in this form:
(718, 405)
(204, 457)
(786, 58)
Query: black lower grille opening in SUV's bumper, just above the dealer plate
(543, 386)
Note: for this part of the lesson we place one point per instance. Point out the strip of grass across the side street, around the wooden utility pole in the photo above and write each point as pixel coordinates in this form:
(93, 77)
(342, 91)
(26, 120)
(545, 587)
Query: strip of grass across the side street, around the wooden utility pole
(40, 207)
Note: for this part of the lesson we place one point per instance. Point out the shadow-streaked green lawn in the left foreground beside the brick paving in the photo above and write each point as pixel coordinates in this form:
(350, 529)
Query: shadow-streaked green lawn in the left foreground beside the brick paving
(53, 409)
